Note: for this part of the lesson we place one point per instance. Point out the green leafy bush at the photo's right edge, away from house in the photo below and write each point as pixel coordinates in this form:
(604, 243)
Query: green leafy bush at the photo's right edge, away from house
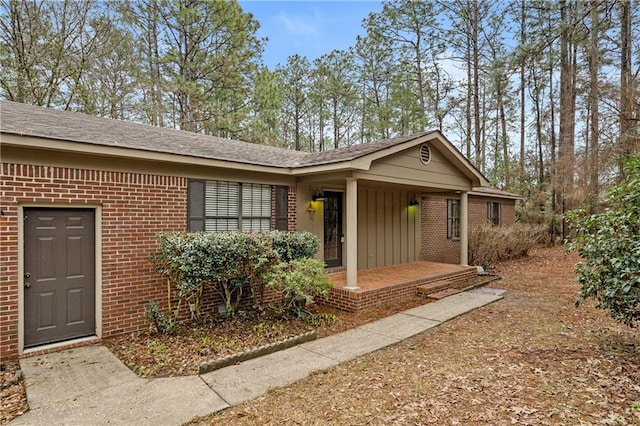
(609, 242)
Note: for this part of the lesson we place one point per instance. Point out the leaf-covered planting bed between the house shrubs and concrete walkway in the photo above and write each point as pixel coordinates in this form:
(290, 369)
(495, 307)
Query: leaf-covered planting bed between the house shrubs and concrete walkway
(156, 355)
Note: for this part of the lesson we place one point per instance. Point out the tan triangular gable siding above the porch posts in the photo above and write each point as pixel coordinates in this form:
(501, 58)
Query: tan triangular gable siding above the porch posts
(407, 168)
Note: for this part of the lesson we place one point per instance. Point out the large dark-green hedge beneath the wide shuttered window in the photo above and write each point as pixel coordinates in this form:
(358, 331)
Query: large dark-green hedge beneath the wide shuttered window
(233, 263)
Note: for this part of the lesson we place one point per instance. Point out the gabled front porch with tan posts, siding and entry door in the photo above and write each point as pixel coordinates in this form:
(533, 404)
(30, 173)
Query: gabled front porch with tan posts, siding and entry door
(366, 207)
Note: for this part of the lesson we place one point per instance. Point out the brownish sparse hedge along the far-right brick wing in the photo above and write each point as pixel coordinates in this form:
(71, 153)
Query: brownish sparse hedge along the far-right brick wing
(489, 244)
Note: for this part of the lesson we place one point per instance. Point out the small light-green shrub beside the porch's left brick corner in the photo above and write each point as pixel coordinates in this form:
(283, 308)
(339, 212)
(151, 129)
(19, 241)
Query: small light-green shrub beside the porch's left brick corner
(299, 282)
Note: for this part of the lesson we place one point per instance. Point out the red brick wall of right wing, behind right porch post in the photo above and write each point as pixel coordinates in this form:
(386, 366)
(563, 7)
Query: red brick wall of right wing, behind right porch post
(436, 247)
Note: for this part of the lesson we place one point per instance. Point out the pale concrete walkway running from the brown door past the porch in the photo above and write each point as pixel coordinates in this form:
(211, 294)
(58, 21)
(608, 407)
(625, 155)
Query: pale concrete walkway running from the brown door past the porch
(90, 386)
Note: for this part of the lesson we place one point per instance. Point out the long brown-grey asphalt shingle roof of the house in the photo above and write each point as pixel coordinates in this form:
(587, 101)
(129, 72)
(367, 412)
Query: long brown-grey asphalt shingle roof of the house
(28, 120)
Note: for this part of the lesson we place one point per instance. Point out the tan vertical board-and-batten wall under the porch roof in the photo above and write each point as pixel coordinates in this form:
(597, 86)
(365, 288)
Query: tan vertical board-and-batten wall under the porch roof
(388, 229)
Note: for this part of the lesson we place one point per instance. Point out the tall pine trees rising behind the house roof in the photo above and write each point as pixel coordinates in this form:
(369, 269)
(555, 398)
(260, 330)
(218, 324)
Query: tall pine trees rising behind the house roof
(540, 95)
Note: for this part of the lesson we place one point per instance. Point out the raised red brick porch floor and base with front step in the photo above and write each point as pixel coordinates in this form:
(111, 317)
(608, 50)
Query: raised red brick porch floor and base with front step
(378, 286)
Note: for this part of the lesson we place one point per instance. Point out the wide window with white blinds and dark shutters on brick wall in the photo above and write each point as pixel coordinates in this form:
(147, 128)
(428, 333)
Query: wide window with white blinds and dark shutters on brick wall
(229, 206)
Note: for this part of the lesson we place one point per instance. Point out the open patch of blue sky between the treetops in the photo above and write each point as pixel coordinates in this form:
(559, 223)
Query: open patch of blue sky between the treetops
(309, 28)
